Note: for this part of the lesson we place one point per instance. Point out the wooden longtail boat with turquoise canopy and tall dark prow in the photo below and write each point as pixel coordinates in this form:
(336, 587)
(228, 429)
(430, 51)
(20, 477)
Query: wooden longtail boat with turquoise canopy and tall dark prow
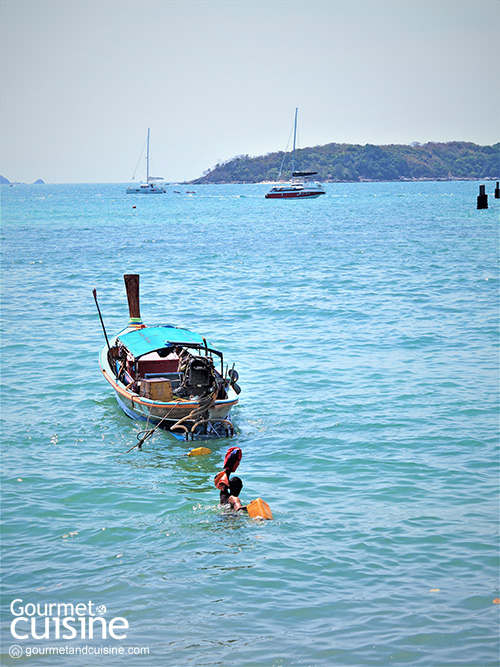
(170, 377)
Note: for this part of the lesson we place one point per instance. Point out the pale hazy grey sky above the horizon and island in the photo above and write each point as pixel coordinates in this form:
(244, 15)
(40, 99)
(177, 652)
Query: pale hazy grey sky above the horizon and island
(82, 80)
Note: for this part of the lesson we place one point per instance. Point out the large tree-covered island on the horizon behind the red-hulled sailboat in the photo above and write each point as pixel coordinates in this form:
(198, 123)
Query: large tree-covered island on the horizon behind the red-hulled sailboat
(353, 163)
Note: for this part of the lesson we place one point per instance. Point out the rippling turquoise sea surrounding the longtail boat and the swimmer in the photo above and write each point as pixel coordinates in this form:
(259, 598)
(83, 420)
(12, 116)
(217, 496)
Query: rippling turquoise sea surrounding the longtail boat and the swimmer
(364, 326)
